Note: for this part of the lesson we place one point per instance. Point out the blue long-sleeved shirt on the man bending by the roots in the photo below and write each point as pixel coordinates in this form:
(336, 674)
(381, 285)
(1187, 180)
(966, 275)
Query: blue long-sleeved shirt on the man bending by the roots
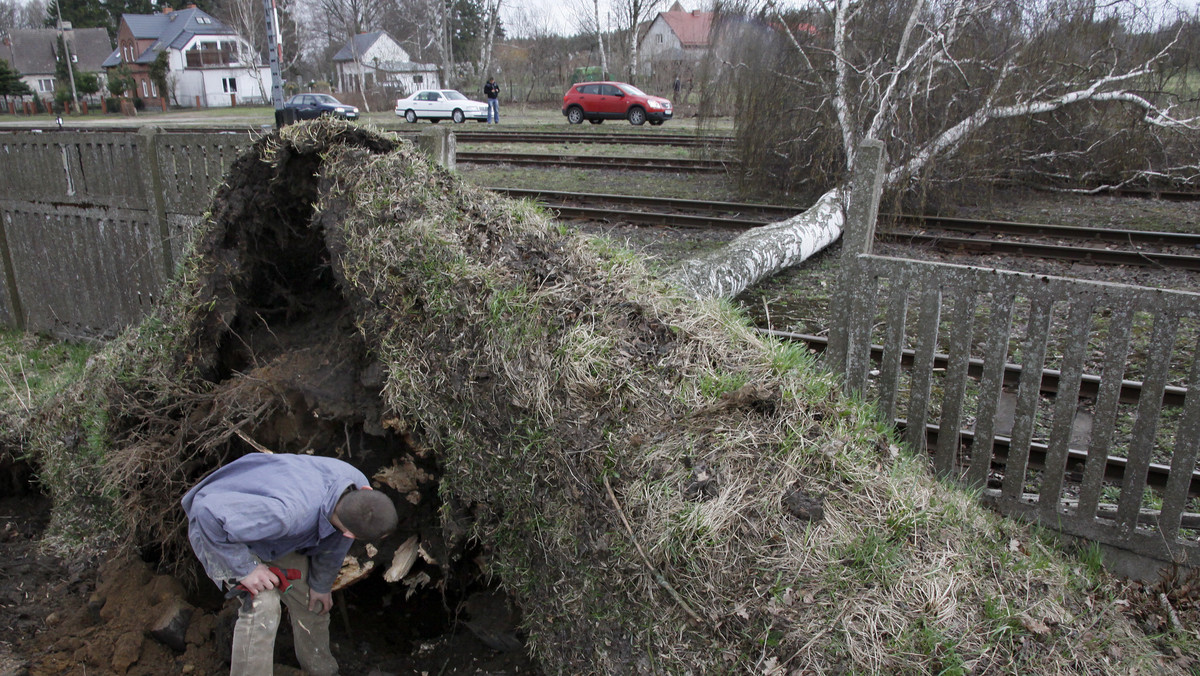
(269, 506)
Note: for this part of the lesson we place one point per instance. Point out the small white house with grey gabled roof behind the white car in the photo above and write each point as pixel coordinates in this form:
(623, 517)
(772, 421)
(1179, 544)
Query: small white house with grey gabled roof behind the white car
(377, 61)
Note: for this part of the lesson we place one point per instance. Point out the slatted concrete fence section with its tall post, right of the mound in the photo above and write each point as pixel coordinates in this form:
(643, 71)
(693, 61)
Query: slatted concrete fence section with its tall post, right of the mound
(1067, 403)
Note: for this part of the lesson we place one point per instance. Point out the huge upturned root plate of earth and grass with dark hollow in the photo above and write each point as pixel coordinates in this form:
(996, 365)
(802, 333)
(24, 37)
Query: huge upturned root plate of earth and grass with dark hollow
(657, 487)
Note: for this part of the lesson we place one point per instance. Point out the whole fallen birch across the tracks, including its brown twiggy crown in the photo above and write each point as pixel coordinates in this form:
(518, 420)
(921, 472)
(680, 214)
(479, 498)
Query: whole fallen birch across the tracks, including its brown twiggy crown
(932, 80)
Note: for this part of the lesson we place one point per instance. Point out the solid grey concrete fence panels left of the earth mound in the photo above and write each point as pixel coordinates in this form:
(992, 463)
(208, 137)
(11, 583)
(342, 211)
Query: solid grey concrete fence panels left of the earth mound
(93, 223)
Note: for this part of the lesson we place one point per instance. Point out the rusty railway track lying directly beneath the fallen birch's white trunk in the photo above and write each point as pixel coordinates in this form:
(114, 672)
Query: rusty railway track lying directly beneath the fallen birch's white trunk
(1109, 247)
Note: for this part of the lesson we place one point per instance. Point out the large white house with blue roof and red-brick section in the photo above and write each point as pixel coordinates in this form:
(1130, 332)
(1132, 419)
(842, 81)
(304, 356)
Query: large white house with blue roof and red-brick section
(209, 64)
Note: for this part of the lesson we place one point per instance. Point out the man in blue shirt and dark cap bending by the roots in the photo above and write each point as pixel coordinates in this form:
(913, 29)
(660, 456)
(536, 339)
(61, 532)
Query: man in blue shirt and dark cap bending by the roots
(287, 512)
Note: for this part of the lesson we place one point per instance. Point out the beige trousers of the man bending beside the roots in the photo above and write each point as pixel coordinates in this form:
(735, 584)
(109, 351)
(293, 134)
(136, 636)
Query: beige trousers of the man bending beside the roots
(254, 636)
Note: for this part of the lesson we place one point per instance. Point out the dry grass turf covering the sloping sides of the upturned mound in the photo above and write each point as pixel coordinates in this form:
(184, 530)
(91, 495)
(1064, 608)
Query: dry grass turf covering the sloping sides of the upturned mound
(545, 369)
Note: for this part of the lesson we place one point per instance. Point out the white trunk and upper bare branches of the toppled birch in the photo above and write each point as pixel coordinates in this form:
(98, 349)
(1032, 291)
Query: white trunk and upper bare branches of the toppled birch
(926, 77)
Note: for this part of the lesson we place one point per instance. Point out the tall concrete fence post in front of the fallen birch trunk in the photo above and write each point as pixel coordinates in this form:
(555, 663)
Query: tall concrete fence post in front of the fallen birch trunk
(862, 212)
